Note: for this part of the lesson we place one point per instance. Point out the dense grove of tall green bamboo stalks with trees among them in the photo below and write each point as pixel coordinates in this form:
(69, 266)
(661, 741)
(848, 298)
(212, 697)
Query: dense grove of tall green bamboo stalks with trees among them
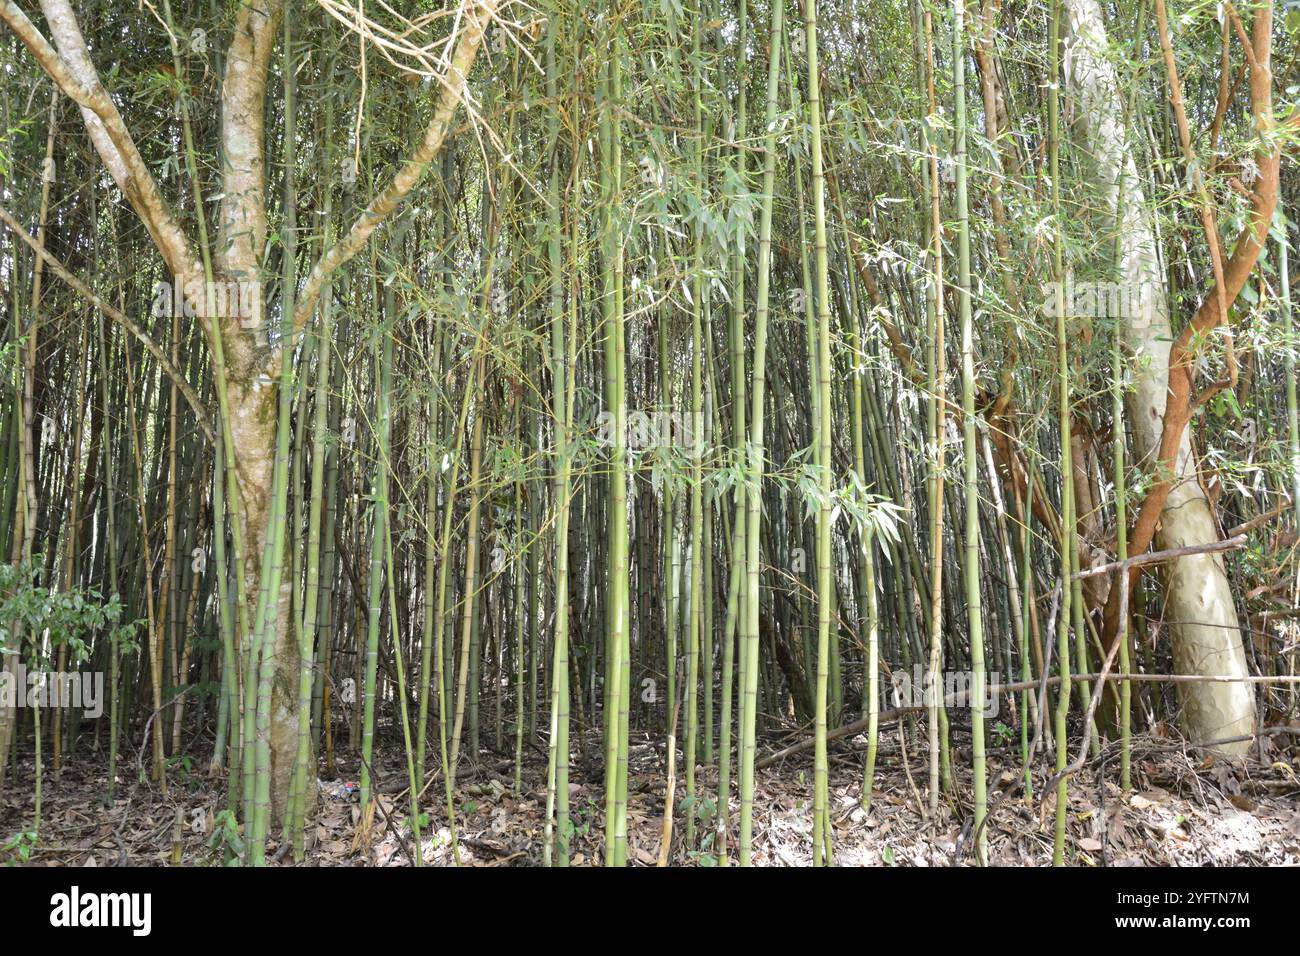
(692, 383)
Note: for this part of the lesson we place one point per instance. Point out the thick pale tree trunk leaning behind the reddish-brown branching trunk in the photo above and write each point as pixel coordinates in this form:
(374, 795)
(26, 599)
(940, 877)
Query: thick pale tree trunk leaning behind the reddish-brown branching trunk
(1198, 609)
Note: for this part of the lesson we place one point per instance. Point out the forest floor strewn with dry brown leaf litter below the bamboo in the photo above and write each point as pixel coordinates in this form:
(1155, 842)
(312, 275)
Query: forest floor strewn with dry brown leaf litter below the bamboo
(1185, 811)
